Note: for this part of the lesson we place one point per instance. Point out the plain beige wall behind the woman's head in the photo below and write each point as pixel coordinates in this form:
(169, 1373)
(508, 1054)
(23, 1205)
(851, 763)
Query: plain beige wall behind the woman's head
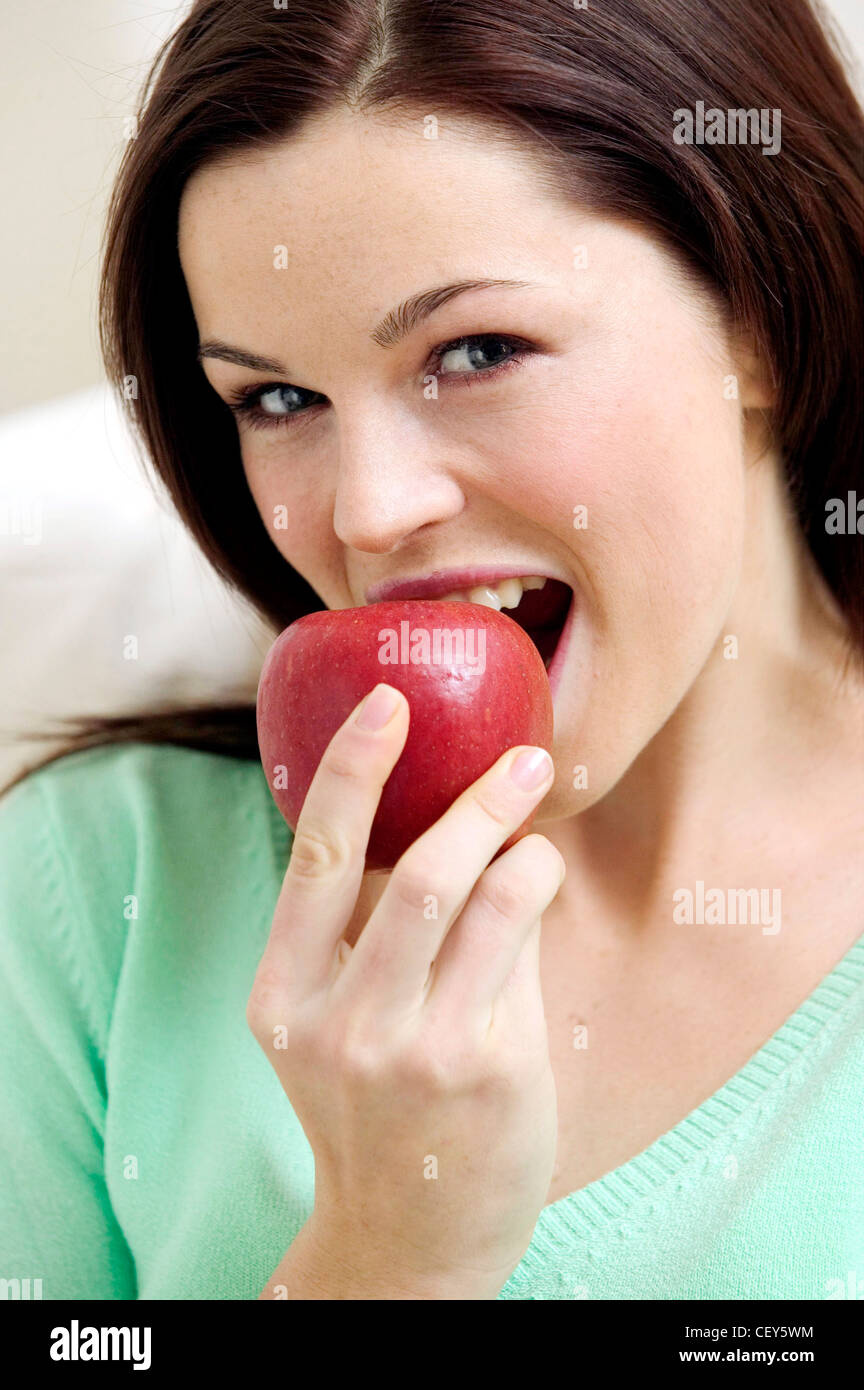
(69, 74)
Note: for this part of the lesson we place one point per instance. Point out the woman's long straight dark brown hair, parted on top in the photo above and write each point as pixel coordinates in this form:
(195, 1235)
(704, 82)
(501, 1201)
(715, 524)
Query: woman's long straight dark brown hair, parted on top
(591, 91)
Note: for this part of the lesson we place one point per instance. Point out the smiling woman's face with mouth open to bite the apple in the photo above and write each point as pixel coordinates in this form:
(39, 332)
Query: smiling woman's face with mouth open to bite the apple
(394, 457)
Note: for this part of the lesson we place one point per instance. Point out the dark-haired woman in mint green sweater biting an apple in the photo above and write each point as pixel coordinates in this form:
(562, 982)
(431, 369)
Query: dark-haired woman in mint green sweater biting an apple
(245, 1079)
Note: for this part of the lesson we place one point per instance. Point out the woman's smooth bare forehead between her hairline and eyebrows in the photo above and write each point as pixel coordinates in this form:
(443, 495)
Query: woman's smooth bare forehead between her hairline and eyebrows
(326, 231)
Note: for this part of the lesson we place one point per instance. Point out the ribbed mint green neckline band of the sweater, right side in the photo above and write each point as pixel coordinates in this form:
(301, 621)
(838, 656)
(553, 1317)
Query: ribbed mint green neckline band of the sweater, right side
(609, 1197)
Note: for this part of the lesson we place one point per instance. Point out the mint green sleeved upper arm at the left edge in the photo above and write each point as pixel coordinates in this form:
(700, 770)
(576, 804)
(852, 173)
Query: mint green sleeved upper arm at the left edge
(56, 1218)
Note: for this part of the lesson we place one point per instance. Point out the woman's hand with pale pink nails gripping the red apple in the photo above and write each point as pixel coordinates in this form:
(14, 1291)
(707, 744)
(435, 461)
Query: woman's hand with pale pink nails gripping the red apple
(416, 1061)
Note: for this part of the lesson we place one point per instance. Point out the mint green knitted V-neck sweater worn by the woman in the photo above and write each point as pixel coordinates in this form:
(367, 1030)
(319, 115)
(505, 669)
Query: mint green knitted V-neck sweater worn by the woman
(149, 1152)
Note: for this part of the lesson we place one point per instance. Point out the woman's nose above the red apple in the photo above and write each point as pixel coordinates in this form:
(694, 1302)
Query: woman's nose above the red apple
(392, 482)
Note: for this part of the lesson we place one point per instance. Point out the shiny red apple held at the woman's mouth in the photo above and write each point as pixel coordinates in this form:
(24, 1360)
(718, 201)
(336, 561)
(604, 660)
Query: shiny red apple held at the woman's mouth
(462, 718)
